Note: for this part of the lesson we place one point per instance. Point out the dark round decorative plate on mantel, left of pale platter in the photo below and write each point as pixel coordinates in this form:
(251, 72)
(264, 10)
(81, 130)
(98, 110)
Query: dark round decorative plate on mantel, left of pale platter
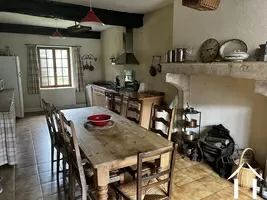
(209, 50)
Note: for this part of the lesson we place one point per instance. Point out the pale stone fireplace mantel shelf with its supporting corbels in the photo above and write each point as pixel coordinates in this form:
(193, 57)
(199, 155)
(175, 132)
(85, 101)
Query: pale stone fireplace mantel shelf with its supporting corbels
(179, 73)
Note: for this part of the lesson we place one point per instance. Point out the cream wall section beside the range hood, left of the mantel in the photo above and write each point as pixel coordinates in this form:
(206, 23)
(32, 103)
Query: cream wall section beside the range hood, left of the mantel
(154, 38)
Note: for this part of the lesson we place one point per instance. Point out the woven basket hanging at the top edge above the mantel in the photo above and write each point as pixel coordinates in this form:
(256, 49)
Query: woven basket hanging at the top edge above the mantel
(202, 4)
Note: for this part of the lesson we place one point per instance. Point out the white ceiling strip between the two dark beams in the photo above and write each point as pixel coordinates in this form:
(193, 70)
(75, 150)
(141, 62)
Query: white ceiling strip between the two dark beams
(14, 18)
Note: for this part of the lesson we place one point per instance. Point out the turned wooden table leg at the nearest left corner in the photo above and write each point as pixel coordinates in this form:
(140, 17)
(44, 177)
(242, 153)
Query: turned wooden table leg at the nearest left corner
(102, 180)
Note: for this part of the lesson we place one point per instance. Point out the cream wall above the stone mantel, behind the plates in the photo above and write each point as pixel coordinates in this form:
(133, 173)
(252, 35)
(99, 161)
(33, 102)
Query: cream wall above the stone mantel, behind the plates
(245, 20)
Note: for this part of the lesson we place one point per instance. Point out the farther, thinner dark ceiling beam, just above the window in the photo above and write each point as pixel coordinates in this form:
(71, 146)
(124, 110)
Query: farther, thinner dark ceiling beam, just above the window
(39, 30)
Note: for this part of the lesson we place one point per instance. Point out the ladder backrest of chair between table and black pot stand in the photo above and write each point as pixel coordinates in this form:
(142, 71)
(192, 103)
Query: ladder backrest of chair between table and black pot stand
(168, 123)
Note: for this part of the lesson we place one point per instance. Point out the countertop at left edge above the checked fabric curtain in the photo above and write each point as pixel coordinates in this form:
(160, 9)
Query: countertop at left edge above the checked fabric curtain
(6, 98)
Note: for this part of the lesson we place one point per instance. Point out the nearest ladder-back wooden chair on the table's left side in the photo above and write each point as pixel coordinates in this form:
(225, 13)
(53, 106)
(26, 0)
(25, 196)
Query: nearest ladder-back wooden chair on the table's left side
(79, 169)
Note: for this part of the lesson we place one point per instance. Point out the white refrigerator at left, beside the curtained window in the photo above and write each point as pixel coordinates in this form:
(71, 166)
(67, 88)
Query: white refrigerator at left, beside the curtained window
(11, 74)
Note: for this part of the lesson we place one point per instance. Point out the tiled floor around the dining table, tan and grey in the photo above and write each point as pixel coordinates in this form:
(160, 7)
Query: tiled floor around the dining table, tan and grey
(31, 178)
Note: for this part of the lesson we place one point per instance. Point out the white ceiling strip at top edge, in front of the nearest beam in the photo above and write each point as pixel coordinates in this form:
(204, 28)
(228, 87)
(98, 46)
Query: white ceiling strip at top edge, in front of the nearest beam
(131, 6)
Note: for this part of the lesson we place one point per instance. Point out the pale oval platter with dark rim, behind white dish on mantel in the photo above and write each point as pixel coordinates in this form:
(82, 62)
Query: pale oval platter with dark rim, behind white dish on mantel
(232, 46)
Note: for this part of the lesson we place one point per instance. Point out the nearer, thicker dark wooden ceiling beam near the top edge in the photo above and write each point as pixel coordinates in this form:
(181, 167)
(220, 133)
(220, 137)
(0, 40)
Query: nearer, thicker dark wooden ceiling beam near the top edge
(71, 12)
